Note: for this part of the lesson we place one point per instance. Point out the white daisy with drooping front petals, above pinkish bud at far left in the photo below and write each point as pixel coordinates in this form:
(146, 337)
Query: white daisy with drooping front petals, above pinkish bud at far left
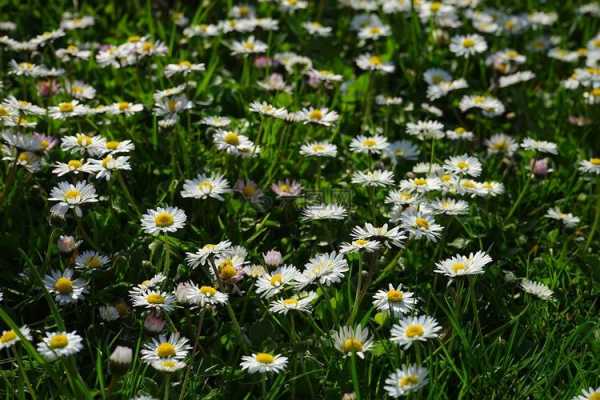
(71, 196)
